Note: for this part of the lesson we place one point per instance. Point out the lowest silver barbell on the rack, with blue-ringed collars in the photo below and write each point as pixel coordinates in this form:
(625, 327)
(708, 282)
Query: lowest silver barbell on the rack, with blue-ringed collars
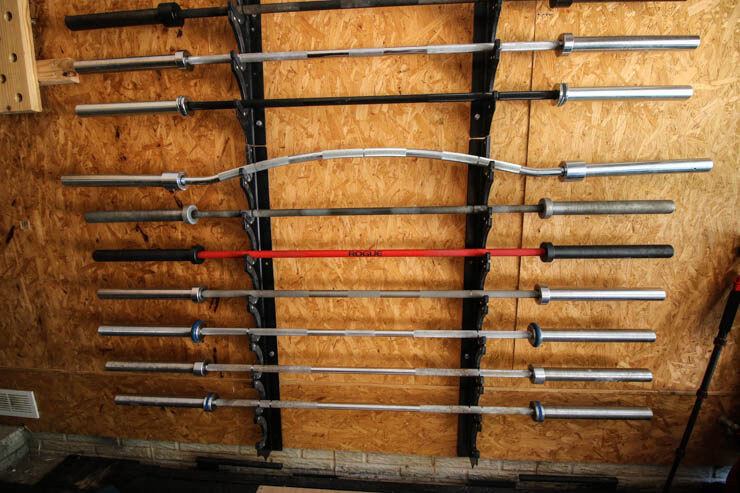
(536, 410)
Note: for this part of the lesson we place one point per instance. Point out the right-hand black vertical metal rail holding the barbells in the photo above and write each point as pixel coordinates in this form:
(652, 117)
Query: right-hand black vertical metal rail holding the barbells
(477, 226)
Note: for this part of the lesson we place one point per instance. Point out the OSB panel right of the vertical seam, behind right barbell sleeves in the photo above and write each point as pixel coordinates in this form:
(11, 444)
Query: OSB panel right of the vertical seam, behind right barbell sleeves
(704, 230)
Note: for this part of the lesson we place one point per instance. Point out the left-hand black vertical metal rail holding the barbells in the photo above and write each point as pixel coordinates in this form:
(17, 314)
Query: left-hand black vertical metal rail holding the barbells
(249, 76)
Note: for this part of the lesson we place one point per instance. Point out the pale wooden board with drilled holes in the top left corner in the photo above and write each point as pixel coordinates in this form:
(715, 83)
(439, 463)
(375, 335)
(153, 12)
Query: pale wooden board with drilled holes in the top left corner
(19, 87)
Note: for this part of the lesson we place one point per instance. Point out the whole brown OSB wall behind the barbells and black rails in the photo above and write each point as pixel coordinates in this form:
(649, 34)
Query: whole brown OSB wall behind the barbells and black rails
(51, 313)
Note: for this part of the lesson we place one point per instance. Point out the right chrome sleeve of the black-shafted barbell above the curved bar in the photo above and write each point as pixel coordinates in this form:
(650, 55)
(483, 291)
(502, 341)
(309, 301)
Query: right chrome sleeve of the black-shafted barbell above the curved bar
(652, 93)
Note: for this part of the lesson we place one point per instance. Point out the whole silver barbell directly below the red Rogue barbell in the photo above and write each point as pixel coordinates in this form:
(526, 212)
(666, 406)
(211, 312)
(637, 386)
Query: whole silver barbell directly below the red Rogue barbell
(542, 294)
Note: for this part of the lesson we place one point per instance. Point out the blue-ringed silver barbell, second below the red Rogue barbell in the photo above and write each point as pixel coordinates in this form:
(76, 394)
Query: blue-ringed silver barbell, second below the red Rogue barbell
(534, 333)
